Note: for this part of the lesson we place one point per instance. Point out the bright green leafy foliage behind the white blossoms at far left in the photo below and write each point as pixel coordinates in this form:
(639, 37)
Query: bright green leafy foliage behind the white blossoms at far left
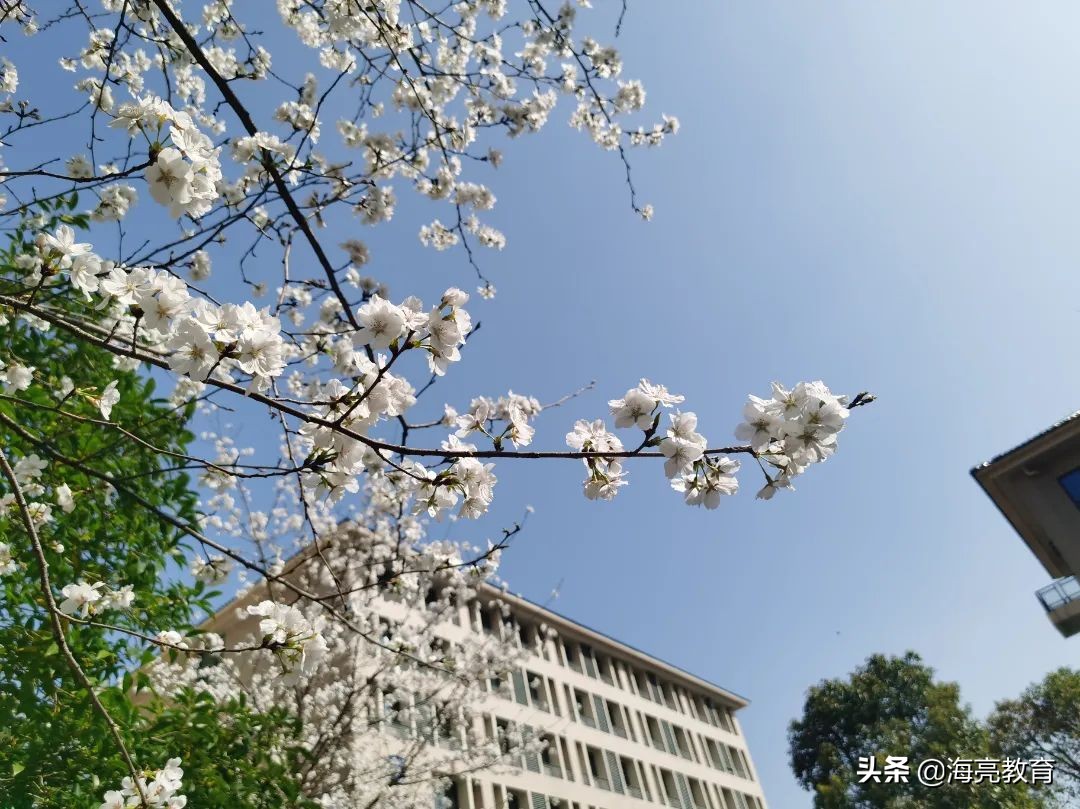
(55, 750)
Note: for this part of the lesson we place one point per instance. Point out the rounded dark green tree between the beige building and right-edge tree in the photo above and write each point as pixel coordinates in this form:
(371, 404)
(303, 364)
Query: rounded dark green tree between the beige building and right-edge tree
(890, 707)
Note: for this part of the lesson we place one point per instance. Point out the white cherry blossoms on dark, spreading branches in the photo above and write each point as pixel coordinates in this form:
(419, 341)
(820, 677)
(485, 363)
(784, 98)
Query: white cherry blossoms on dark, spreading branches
(226, 249)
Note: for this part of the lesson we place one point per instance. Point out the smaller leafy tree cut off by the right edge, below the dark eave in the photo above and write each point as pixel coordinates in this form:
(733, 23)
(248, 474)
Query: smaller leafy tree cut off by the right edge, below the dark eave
(1044, 723)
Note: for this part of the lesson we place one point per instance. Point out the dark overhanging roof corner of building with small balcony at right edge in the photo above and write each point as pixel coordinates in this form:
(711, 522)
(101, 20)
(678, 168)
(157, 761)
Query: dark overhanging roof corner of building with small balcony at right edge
(1037, 489)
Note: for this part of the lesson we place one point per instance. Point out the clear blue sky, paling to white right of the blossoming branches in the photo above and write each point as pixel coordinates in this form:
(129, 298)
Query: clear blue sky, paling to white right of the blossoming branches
(882, 196)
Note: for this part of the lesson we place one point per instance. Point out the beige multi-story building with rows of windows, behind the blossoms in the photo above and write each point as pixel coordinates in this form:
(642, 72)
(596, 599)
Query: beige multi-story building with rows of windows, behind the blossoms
(624, 730)
